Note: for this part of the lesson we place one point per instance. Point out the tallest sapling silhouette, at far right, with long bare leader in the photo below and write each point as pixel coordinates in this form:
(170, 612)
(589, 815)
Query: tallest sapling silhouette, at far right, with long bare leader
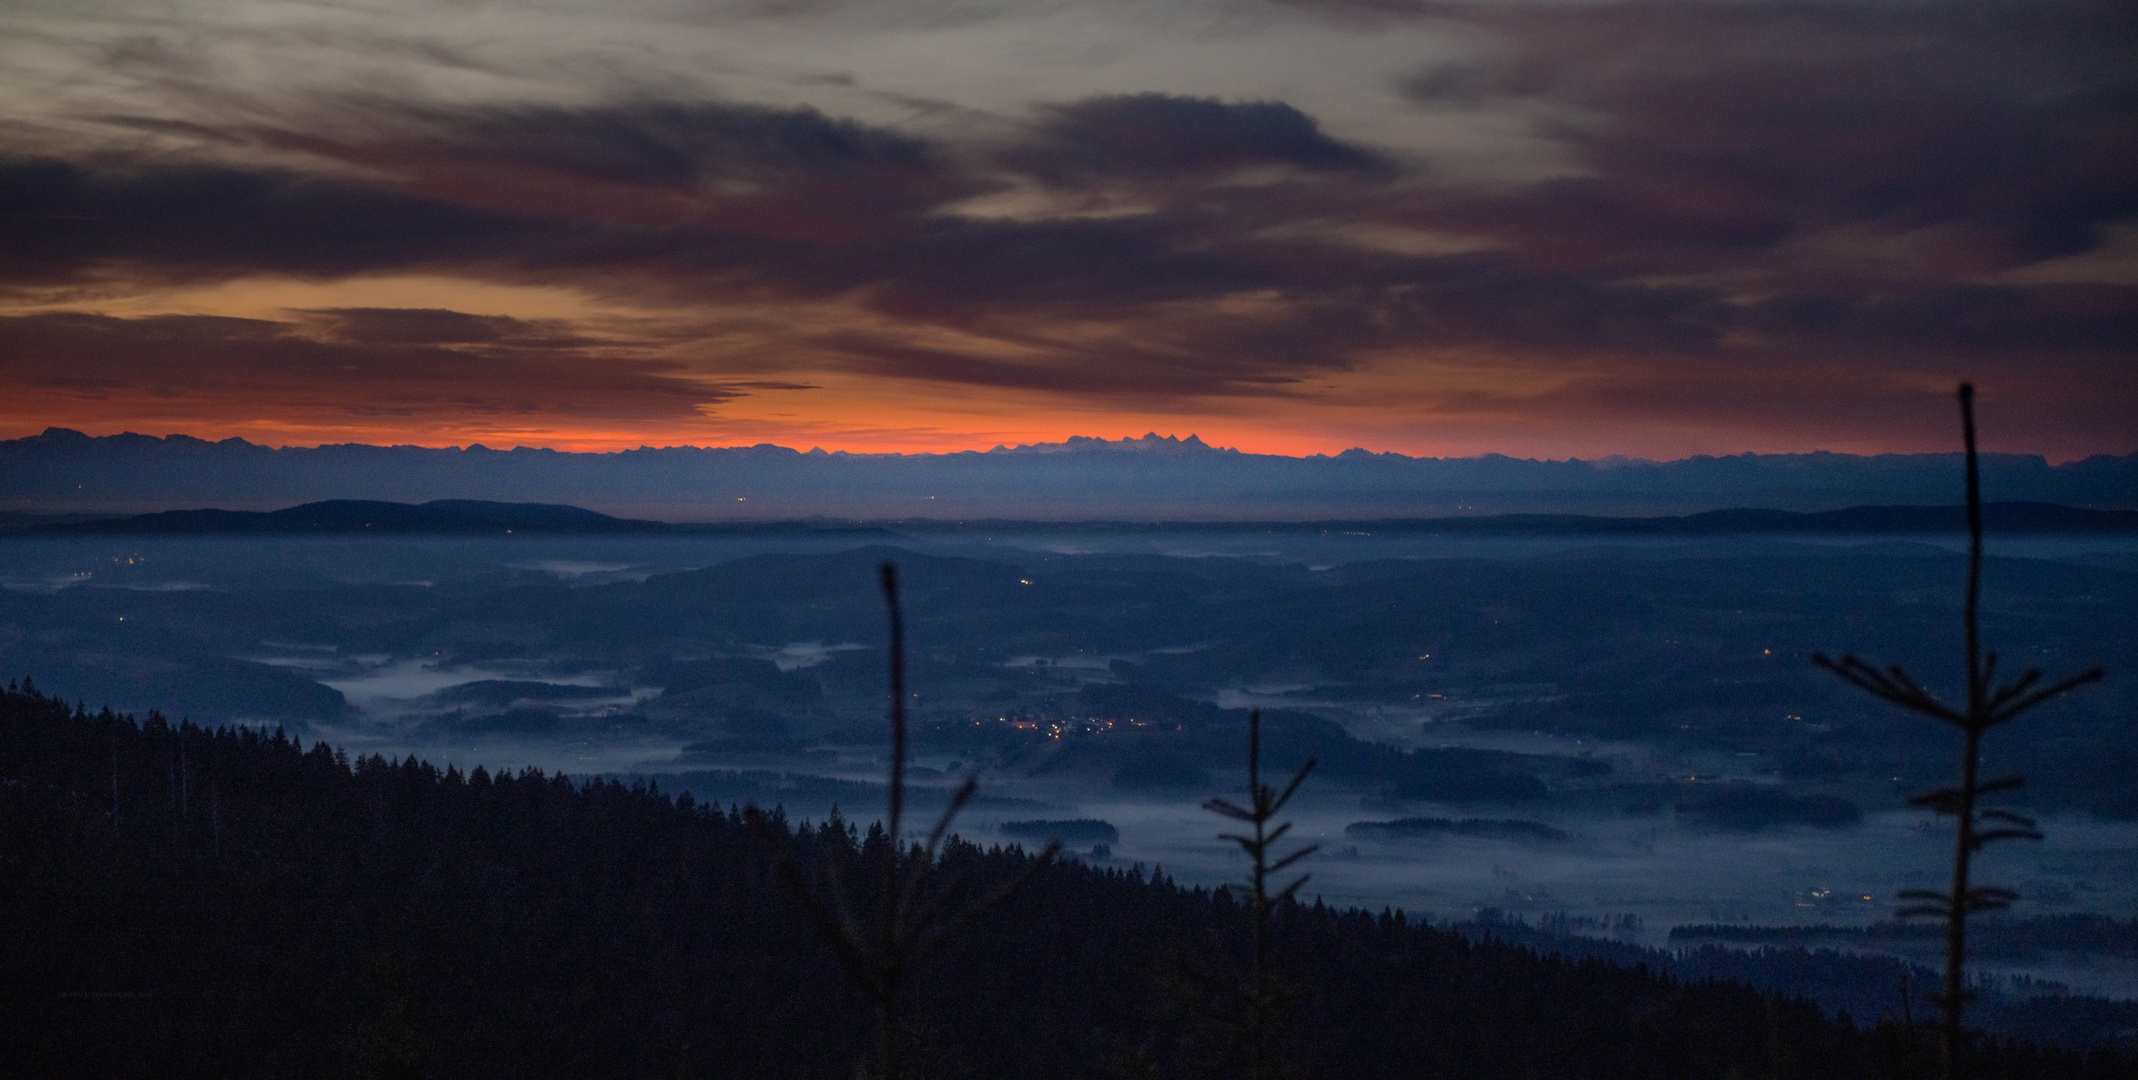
(1987, 707)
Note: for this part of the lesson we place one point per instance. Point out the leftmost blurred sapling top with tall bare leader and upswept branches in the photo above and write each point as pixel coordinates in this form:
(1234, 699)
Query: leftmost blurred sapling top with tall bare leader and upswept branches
(916, 904)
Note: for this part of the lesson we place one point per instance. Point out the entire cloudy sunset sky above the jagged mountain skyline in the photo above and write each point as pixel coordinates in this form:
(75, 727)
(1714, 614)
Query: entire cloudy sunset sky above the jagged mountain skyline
(1549, 230)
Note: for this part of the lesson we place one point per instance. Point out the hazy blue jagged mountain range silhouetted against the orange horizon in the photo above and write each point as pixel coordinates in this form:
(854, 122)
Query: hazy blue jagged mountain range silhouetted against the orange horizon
(1151, 478)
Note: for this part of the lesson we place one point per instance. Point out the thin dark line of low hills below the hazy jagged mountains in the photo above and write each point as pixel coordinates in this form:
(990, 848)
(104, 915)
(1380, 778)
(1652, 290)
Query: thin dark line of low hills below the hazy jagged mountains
(480, 519)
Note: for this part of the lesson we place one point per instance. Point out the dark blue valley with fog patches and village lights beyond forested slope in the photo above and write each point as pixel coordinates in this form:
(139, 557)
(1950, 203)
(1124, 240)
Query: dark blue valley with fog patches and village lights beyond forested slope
(1562, 730)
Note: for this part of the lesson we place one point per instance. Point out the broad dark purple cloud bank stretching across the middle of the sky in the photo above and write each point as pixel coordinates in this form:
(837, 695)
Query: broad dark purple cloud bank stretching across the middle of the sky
(1748, 194)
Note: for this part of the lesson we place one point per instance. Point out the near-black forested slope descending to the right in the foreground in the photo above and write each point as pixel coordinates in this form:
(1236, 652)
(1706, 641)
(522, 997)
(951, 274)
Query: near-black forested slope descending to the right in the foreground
(226, 904)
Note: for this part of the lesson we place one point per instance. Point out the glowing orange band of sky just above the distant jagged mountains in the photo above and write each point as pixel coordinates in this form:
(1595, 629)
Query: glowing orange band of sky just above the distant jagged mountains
(589, 375)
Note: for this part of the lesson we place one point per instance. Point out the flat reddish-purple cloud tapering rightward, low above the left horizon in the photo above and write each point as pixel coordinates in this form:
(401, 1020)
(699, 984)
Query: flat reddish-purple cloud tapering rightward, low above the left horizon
(360, 371)
